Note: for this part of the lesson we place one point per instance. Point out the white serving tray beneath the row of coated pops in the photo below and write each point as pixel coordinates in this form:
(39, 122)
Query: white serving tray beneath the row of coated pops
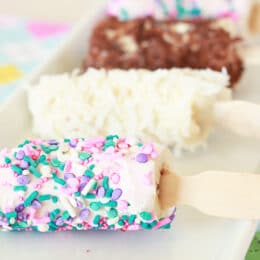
(193, 236)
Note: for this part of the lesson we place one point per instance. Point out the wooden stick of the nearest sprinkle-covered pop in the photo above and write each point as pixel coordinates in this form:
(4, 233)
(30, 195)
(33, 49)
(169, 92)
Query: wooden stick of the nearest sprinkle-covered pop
(221, 194)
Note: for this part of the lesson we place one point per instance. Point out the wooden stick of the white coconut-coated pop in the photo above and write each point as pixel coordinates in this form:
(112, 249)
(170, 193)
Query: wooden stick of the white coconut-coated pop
(240, 117)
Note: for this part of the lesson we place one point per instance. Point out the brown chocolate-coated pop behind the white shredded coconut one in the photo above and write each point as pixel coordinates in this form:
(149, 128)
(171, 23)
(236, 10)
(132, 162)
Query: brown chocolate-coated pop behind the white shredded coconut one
(152, 44)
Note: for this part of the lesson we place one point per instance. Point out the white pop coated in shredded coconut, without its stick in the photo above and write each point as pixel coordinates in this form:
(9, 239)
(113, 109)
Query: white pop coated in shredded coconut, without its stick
(173, 107)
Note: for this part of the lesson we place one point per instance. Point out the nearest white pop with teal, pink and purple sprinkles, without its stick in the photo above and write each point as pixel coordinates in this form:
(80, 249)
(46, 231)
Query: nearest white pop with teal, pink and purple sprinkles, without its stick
(106, 183)
